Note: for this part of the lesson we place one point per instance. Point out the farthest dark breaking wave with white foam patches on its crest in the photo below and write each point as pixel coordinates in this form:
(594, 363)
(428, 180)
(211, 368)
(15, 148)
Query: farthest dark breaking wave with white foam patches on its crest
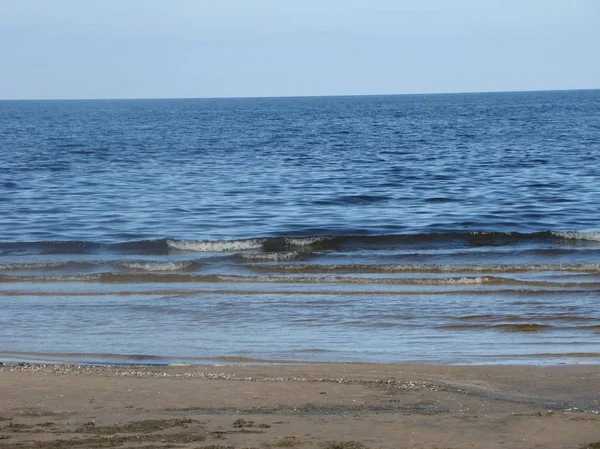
(349, 241)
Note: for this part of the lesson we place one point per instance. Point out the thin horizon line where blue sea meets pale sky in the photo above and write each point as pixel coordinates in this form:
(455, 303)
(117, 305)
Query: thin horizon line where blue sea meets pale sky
(301, 96)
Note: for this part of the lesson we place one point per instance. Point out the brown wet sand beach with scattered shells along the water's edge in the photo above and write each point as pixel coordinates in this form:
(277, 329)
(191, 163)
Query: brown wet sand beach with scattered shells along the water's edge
(346, 406)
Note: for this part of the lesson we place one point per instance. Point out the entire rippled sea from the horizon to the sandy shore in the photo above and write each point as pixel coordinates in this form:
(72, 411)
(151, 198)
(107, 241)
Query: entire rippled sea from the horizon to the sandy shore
(447, 229)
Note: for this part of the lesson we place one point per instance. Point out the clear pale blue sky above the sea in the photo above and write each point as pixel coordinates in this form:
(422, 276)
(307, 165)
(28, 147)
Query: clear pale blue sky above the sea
(75, 49)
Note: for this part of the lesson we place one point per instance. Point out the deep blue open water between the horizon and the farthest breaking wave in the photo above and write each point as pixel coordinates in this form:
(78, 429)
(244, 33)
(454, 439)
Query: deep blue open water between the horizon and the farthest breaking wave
(227, 169)
